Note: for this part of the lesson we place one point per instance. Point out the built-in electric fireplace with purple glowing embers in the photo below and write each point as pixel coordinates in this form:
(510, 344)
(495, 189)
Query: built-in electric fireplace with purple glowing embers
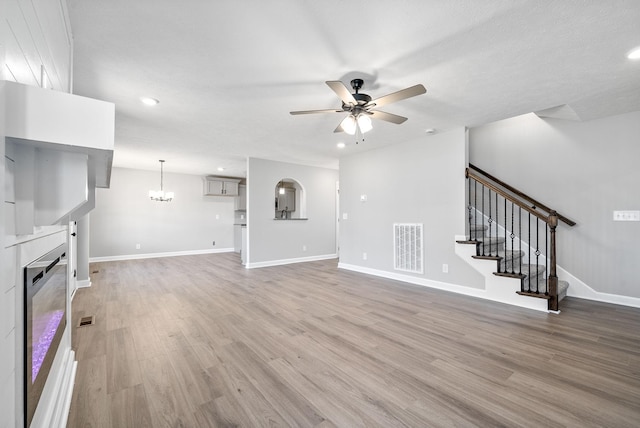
(45, 309)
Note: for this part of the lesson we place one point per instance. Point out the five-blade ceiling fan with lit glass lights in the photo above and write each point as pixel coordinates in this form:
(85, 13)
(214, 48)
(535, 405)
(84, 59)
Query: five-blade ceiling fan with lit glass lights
(360, 106)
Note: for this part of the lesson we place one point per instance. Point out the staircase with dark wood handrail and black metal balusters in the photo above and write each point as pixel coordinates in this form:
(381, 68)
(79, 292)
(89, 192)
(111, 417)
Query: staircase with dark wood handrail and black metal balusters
(514, 235)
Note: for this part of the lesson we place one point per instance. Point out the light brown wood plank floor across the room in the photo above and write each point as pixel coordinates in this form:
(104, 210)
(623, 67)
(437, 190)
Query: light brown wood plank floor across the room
(198, 341)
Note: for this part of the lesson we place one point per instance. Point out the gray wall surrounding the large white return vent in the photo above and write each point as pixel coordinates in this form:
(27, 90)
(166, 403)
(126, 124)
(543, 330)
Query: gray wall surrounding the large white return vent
(421, 181)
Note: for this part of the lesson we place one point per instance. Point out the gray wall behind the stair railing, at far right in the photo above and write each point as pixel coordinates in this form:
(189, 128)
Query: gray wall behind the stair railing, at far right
(584, 170)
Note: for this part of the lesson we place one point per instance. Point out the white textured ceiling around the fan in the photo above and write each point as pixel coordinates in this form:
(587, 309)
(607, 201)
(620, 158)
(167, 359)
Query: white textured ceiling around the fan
(228, 72)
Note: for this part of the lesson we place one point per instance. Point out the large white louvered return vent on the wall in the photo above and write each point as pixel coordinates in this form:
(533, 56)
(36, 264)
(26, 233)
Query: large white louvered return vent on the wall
(407, 249)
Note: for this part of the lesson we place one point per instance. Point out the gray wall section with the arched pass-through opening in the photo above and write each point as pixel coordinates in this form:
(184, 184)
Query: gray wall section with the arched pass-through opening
(281, 241)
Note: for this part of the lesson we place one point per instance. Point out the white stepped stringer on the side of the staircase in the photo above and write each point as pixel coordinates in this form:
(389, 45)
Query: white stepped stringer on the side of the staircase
(497, 288)
